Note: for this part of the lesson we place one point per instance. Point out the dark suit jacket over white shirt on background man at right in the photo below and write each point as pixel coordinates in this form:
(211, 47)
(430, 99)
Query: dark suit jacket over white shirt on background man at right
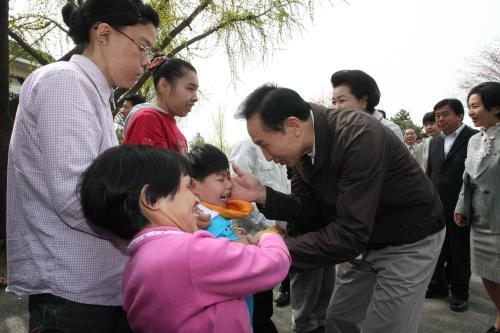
(446, 172)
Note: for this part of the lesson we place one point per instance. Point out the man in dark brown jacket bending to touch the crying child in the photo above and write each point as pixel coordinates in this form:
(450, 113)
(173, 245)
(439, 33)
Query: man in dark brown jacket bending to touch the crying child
(385, 217)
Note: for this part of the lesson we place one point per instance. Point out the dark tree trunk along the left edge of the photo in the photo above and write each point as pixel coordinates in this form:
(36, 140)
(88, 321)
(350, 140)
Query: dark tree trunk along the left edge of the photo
(5, 119)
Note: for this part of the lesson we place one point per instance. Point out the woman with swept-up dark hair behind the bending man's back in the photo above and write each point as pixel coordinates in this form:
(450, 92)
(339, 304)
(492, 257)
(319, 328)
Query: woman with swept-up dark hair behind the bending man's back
(354, 89)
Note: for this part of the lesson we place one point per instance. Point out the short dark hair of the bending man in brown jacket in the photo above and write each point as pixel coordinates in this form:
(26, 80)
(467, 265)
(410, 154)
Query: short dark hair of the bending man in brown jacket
(274, 105)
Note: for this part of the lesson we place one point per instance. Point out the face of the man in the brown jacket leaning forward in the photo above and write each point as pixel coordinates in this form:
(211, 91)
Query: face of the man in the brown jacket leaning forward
(281, 147)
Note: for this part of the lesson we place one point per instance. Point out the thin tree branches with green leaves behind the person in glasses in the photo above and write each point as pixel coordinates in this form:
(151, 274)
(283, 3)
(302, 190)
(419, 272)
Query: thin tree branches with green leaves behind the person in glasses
(244, 30)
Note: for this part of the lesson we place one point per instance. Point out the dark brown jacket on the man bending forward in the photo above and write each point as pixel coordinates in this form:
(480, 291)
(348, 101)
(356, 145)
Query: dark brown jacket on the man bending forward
(364, 182)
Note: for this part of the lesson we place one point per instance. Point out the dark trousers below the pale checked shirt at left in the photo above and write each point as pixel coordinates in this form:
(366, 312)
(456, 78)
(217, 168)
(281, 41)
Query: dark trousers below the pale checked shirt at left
(49, 313)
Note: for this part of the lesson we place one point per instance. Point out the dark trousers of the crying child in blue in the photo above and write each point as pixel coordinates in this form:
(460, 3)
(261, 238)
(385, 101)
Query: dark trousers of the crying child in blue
(262, 313)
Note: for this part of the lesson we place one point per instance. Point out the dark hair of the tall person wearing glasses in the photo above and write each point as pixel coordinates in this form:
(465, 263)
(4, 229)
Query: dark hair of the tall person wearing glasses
(117, 13)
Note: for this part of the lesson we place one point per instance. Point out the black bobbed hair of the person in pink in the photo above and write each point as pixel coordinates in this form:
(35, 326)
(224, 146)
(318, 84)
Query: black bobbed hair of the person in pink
(111, 186)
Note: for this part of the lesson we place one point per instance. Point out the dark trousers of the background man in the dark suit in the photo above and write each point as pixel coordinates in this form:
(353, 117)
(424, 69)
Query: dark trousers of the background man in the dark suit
(453, 266)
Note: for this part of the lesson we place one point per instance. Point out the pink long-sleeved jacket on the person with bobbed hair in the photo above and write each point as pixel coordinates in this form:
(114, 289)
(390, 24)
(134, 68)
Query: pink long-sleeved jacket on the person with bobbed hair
(183, 282)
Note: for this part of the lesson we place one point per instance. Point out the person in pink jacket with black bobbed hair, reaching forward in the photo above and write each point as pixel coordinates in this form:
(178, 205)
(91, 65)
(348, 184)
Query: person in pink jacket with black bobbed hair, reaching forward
(177, 279)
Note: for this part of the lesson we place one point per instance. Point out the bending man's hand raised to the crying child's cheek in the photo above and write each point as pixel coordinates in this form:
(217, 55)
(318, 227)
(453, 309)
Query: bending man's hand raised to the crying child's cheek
(247, 187)
